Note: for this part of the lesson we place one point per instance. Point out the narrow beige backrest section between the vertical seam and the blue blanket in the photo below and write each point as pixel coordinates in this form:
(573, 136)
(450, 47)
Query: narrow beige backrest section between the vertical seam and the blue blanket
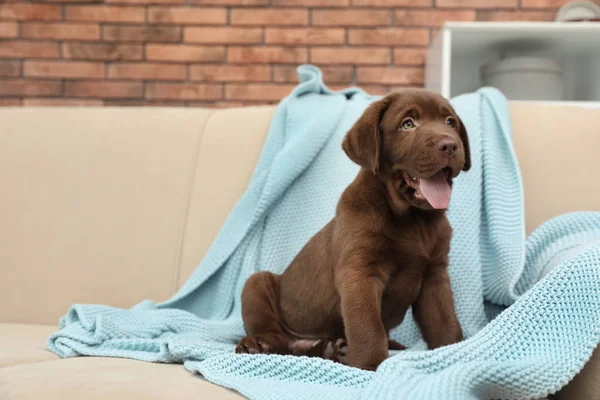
(231, 145)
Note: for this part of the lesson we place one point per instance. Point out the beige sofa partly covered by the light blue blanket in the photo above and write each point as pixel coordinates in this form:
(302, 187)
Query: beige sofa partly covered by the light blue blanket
(93, 199)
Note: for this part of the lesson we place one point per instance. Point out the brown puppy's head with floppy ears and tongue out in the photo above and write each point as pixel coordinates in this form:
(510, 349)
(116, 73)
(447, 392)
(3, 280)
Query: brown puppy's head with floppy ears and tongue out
(414, 139)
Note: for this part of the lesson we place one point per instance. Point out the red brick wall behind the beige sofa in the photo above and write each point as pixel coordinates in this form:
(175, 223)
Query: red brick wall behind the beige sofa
(221, 52)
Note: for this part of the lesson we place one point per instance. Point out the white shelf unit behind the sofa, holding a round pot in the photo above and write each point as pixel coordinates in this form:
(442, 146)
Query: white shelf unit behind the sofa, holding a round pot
(460, 49)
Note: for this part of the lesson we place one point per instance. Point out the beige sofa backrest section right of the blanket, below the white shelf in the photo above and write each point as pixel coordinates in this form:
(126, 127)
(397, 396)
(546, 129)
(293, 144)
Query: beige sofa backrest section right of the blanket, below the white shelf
(558, 147)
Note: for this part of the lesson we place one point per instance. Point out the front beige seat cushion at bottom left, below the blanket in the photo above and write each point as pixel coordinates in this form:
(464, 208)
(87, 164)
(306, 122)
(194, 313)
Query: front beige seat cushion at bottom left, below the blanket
(105, 378)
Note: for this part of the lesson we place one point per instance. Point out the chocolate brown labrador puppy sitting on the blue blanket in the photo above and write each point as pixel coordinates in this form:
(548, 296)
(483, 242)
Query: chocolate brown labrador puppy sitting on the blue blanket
(385, 250)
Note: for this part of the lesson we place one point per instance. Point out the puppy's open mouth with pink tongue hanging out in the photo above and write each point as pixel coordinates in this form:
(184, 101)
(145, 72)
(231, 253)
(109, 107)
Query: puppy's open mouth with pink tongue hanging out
(435, 189)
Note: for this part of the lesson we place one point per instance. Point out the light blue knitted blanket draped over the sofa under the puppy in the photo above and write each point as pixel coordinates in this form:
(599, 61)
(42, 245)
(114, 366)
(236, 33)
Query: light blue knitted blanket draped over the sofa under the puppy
(530, 349)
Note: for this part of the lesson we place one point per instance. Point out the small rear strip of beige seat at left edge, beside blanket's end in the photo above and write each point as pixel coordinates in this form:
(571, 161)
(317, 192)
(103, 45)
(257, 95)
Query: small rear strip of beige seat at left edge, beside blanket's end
(22, 344)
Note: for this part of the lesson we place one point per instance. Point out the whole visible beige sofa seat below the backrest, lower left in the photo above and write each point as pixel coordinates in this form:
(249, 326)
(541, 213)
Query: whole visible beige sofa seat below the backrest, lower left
(29, 371)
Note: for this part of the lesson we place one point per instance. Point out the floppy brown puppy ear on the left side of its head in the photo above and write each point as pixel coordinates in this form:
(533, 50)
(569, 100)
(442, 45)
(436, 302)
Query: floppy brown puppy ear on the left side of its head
(362, 143)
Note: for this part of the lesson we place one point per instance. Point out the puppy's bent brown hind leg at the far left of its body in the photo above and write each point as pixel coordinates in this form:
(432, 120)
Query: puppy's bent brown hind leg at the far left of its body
(260, 305)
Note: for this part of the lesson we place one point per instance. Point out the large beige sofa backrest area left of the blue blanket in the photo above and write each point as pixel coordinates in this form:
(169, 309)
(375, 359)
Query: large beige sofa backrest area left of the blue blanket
(114, 205)
